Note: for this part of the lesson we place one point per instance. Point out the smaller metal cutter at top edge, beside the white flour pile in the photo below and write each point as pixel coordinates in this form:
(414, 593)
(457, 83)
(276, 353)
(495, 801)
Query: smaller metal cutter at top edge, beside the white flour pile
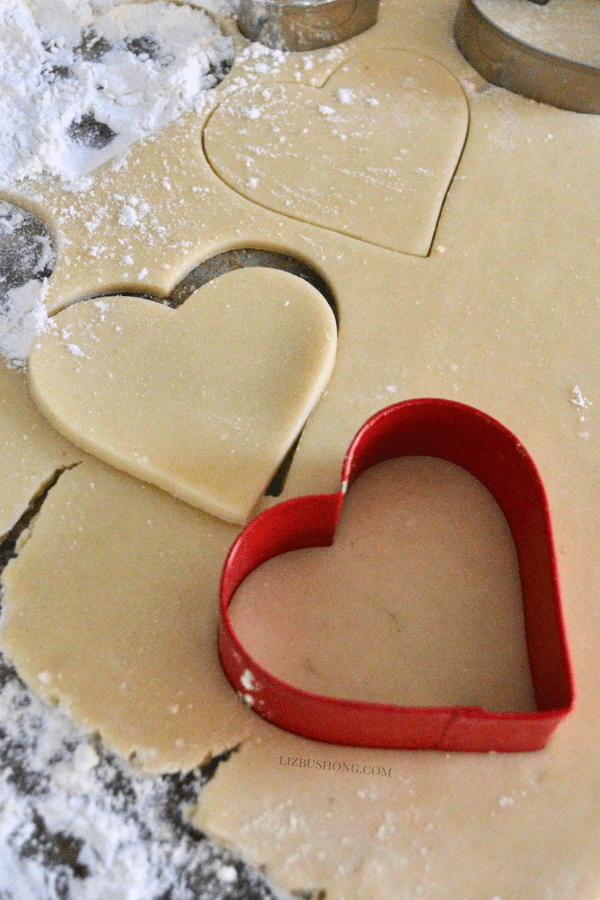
(305, 24)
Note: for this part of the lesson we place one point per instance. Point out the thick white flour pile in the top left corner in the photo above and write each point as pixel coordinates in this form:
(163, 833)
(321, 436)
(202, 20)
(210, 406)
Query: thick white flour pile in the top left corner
(81, 81)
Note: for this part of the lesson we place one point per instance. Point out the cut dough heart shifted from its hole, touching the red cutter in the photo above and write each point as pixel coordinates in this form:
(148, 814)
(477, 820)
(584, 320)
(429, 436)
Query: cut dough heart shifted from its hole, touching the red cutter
(203, 401)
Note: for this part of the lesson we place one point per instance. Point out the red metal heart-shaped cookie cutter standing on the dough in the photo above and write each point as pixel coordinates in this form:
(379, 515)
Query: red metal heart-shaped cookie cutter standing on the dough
(485, 448)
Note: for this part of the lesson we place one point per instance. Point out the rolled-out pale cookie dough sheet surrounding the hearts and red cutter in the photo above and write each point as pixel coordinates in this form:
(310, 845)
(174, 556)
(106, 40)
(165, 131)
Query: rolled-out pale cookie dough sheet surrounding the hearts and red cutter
(503, 315)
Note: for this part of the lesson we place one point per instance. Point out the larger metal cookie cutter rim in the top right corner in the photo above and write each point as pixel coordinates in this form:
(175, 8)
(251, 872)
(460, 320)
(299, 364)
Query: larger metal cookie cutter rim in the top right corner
(519, 67)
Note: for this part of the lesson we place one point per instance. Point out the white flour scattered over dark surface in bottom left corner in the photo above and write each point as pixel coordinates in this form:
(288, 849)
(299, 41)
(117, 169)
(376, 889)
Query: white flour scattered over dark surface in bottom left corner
(79, 824)
